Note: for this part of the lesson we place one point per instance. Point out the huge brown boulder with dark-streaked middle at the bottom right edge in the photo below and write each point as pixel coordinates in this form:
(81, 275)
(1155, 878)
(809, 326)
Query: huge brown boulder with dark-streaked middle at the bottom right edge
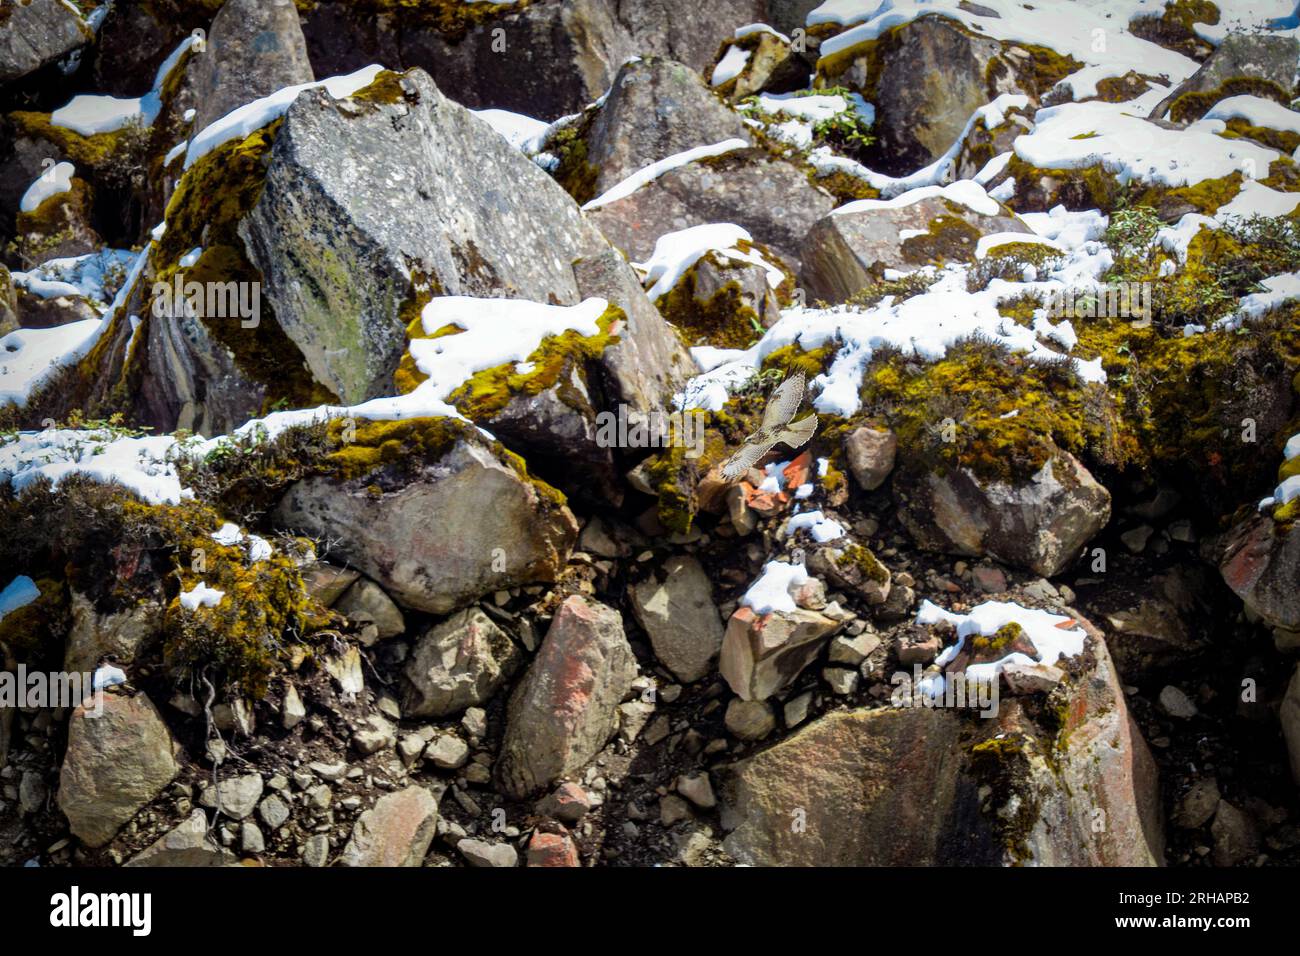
(903, 788)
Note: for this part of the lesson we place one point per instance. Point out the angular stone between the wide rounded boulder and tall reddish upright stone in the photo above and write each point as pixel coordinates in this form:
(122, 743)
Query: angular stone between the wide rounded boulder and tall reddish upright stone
(458, 664)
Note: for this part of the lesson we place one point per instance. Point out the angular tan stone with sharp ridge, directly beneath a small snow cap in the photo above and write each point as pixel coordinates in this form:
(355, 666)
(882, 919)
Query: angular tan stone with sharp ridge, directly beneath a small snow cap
(762, 656)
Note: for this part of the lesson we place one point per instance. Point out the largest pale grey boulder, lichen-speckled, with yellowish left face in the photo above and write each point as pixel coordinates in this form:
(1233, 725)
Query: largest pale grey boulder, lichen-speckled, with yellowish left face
(375, 201)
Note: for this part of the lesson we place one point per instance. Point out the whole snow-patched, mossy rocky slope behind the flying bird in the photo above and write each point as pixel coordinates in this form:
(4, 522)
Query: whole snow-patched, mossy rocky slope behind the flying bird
(336, 341)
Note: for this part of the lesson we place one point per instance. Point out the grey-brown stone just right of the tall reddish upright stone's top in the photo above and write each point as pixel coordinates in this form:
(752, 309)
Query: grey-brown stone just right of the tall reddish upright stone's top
(681, 617)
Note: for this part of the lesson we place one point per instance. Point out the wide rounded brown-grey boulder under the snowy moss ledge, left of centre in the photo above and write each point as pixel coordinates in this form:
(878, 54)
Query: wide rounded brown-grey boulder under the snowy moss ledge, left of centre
(440, 531)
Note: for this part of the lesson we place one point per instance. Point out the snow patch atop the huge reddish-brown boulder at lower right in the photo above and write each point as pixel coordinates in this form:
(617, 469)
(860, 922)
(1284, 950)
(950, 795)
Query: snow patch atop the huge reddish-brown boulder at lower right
(1042, 628)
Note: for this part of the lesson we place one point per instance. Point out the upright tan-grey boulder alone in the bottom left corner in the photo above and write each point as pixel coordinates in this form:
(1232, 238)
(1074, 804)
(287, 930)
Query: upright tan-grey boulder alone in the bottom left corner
(116, 763)
